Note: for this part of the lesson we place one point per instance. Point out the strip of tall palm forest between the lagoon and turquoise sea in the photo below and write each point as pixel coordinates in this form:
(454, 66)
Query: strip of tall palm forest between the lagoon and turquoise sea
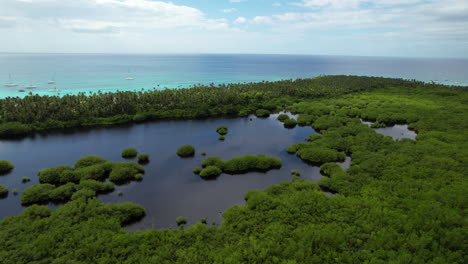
(19, 117)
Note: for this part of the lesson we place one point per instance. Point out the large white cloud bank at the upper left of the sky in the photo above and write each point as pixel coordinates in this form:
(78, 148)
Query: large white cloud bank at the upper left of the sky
(121, 15)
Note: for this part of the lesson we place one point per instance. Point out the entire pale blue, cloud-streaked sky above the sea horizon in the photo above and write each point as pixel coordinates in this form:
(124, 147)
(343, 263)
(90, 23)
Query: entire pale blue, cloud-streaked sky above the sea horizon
(407, 28)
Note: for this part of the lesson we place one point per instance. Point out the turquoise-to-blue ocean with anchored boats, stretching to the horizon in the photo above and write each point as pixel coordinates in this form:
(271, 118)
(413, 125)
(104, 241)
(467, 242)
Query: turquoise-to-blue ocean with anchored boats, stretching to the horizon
(75, 73)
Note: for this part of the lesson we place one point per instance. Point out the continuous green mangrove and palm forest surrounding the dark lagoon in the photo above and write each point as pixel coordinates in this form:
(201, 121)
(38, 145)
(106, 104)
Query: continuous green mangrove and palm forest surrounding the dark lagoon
(401, 201)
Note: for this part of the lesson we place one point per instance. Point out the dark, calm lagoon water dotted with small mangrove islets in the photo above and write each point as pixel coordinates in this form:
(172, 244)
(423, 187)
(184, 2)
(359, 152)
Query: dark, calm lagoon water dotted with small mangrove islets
(169, 189)
